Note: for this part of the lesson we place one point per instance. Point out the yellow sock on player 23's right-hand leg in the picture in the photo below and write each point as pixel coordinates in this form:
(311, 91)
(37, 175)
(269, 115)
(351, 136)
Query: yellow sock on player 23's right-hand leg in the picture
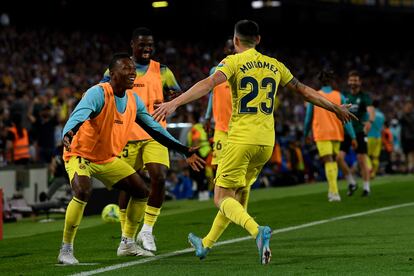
(234, 211)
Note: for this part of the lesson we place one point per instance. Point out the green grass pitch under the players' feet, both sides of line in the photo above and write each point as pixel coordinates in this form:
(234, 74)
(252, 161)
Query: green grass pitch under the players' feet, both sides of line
(375, 244)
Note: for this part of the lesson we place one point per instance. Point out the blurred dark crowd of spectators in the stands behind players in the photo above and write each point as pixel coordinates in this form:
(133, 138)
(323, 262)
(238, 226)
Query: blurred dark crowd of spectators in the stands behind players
(43, 74)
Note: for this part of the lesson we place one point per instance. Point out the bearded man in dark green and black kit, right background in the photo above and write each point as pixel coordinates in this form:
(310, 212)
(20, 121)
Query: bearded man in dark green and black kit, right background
(362, 108)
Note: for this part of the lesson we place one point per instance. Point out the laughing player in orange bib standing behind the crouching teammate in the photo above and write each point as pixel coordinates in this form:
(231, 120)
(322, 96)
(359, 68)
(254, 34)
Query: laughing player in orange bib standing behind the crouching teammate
(142, 151)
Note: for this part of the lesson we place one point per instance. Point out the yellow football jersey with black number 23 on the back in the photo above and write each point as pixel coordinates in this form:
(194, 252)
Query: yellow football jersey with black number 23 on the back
(254, 79)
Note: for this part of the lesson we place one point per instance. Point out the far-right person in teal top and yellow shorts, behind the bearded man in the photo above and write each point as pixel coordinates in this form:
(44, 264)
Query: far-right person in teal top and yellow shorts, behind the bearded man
(374, 138)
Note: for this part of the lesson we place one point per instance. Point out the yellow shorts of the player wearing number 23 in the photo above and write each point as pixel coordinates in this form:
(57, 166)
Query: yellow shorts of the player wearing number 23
(241, 164)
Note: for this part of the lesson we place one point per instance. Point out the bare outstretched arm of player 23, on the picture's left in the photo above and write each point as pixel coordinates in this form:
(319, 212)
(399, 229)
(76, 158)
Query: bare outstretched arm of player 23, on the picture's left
(197, 91)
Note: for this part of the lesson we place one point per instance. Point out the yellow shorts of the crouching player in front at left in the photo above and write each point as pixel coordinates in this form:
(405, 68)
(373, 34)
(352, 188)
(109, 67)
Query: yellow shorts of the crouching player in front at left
(109, 173)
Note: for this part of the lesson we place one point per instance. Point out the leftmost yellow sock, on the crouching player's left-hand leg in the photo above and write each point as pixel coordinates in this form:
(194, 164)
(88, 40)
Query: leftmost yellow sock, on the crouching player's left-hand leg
(73, 217)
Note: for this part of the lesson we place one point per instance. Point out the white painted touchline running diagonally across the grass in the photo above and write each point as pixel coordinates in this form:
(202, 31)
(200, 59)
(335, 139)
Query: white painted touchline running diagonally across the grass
(282, 230)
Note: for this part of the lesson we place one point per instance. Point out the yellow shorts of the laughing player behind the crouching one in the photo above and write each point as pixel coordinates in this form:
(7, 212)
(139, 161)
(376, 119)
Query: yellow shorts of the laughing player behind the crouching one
(139, 153)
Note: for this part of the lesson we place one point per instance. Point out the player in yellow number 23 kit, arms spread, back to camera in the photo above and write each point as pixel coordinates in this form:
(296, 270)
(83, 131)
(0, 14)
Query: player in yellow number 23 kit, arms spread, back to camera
(254, 79)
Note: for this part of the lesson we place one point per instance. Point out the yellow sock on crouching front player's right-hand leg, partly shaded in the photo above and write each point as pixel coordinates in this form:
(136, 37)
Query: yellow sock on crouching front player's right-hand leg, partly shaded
(134, 213)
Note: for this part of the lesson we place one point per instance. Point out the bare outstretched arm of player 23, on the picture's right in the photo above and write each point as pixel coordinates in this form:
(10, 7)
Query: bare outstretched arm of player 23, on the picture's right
(312, 96)
